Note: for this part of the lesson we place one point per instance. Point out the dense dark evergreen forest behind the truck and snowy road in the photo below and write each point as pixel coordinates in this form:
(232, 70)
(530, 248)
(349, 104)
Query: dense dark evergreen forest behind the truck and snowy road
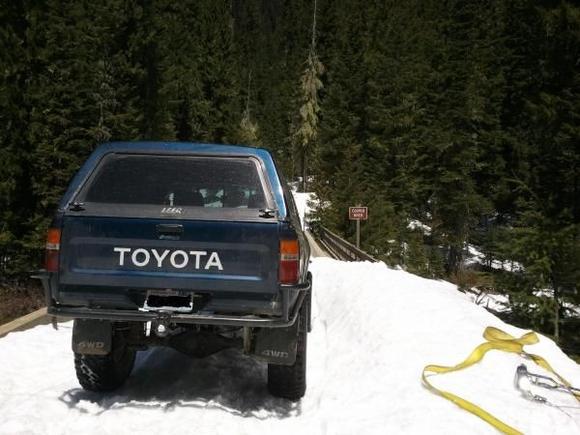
(461, 116)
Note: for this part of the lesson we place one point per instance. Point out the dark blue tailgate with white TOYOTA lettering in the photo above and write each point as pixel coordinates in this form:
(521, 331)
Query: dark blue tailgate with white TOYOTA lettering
(141, 254)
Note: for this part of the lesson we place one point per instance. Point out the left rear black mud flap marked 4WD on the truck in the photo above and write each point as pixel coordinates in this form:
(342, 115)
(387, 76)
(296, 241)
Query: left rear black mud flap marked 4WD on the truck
(92, 337)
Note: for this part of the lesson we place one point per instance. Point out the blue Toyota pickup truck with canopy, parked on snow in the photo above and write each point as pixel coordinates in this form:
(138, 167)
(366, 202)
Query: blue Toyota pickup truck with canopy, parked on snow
(193, 246)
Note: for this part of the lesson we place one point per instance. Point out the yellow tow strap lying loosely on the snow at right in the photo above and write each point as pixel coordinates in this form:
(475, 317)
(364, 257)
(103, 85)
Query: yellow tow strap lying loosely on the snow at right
(499, 340)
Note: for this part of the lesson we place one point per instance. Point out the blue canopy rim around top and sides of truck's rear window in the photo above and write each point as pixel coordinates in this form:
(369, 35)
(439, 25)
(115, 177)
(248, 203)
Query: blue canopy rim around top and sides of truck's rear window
(177, 147)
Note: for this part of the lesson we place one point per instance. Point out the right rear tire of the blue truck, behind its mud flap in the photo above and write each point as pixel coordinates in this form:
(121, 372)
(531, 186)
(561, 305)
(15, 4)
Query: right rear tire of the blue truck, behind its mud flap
(289, 382)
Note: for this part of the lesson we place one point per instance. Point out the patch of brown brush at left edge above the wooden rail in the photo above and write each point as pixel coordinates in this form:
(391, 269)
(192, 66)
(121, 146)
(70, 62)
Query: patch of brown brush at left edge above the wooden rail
(16, 301)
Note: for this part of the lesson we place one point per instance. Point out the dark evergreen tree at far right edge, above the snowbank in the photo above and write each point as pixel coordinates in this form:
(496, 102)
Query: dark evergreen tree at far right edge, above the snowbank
(543, 236)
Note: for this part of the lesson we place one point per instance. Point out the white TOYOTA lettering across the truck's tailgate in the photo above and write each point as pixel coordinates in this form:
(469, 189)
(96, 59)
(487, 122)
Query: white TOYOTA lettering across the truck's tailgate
(179, 259)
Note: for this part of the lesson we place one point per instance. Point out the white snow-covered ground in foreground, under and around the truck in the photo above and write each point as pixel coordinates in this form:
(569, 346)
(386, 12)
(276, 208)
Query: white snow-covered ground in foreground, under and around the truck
(374, 330)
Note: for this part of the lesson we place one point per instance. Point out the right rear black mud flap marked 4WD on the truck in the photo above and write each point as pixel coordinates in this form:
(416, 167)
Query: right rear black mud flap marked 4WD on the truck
(276, 345)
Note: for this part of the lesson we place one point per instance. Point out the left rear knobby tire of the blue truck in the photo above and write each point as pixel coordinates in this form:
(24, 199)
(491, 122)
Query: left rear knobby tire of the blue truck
(106, 372)
